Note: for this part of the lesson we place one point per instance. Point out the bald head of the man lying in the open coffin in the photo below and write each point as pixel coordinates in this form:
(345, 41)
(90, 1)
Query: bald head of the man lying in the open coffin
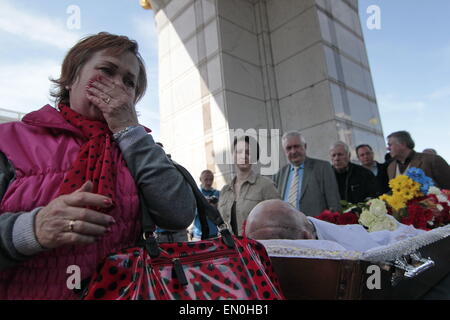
(276, 219)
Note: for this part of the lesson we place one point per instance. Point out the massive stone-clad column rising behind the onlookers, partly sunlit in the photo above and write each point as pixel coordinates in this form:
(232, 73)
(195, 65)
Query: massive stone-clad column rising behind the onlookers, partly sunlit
(262, 64)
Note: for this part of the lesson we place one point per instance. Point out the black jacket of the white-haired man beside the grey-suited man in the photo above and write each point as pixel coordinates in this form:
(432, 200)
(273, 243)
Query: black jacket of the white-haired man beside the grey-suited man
(356, 184)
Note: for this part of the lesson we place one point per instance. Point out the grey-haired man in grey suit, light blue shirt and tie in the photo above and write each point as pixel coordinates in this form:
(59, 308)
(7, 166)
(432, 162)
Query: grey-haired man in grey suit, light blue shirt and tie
(308, 184)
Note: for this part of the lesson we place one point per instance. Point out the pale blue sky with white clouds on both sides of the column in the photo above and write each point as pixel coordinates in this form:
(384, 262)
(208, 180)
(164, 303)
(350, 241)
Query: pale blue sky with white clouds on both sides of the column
(409, 57)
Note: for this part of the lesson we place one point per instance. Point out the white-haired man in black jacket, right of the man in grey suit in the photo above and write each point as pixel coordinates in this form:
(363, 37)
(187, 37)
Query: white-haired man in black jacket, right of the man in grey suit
(355, 182)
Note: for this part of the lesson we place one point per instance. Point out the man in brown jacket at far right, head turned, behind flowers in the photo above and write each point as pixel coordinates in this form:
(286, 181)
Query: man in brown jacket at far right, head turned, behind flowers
(401, 146)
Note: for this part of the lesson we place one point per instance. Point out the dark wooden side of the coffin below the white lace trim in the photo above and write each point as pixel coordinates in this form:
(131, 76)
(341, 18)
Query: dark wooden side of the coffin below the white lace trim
(347, 279)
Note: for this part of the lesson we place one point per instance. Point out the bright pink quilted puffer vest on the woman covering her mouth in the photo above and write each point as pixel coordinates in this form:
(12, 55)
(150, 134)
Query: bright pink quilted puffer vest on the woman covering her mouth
(42, 148)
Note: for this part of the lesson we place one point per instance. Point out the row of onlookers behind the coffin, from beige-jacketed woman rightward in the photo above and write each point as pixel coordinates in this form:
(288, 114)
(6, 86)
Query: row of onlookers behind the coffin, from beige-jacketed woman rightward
(312, 185)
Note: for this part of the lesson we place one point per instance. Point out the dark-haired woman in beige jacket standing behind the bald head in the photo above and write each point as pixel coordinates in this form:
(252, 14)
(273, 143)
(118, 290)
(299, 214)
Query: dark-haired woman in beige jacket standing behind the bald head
(246, 190)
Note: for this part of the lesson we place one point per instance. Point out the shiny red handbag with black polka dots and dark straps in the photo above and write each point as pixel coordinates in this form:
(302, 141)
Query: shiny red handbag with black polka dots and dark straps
(226, 267)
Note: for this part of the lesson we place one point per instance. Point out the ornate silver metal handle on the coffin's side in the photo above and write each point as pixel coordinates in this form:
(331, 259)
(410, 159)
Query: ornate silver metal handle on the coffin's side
(410, 267)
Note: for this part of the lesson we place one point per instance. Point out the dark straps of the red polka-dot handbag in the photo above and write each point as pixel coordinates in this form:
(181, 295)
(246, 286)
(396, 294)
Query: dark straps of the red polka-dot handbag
(204, 208)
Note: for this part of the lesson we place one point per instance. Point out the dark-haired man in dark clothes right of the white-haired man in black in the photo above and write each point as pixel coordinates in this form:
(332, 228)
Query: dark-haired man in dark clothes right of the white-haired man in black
(365, 155)
